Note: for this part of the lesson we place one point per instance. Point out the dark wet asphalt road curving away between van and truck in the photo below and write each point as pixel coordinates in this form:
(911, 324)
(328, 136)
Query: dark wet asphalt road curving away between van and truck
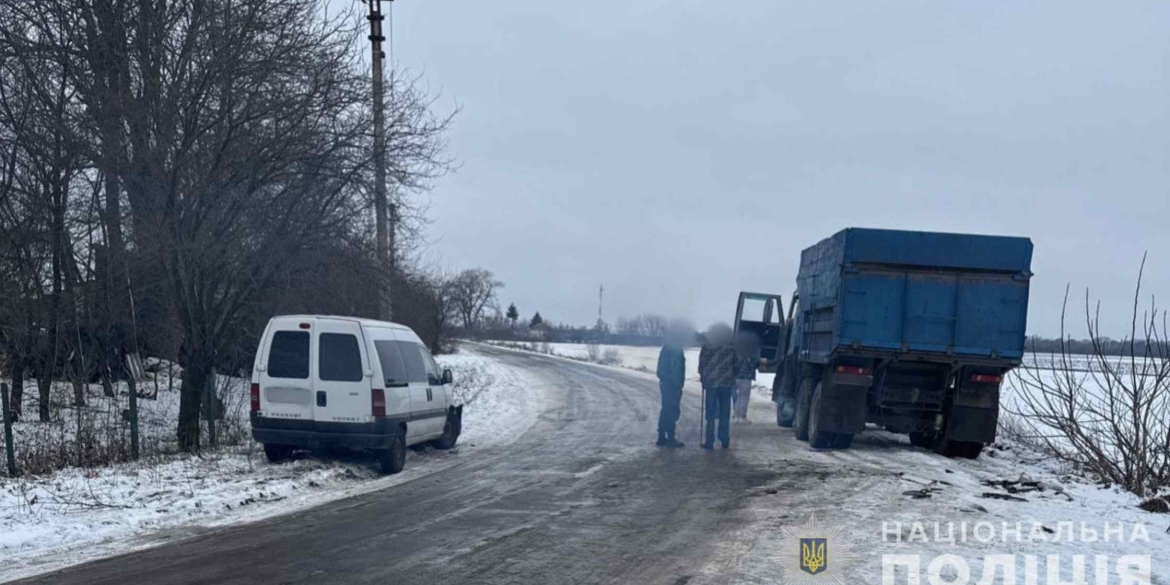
(584, 497)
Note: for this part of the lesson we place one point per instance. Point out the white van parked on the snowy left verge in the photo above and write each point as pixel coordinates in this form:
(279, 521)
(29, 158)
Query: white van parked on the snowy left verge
(345, 382)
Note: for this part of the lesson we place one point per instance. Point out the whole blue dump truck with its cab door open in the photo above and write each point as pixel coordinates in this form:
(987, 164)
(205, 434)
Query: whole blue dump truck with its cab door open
(912, 332)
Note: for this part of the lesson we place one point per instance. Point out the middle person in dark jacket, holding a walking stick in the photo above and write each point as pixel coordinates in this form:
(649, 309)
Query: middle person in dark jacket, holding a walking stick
(717, 371)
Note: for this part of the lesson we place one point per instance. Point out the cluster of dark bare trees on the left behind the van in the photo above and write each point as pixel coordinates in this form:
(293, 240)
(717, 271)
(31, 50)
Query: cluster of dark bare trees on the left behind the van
(169, 167)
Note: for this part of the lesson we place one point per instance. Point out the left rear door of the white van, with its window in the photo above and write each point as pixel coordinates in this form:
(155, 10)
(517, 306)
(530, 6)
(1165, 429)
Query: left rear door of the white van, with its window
(286, 389)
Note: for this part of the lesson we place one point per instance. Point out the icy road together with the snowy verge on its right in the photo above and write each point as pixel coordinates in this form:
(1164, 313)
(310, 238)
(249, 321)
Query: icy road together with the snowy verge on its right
(584, 497)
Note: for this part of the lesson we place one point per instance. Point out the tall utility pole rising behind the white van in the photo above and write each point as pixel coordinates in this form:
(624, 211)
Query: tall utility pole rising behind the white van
(381, 208)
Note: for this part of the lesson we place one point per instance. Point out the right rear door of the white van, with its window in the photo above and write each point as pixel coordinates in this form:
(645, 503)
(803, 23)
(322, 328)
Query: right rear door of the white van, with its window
(341, 384)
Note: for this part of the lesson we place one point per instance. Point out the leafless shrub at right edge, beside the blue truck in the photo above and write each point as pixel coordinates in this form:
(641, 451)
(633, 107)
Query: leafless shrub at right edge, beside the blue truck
(1105, 415)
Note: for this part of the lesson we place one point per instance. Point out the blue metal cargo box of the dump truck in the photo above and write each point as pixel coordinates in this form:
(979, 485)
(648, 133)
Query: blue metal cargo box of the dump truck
(914, 292)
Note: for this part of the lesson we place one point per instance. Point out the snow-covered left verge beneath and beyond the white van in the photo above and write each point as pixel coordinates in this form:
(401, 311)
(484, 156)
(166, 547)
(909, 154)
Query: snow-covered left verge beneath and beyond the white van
(75, 515)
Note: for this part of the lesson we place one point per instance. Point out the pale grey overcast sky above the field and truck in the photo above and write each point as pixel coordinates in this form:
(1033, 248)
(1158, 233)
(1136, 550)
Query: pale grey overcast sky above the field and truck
(683, 152)
